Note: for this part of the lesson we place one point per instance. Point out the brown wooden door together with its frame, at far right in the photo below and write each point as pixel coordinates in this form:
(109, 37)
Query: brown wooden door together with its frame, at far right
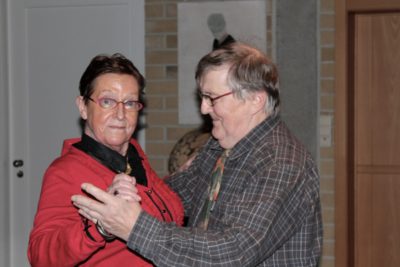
(368, 134)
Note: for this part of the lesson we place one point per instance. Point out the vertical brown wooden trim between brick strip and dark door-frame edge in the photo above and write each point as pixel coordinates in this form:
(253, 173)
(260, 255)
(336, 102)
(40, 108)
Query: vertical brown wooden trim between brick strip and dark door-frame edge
(341, 153)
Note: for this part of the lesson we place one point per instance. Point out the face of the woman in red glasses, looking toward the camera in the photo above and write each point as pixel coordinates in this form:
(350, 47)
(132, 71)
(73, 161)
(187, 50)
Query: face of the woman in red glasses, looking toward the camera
(112, 127)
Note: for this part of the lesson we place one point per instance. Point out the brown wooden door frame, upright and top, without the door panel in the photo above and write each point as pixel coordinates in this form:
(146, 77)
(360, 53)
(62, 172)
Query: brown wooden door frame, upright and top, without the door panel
(344, 208)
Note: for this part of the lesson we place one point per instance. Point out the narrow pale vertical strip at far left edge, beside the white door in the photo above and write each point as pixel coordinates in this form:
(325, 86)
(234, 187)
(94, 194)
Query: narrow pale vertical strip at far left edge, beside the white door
(4, 182)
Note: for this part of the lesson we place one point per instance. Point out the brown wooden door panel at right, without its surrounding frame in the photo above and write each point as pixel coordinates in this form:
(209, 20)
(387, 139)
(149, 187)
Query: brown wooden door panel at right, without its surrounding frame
(376, 139)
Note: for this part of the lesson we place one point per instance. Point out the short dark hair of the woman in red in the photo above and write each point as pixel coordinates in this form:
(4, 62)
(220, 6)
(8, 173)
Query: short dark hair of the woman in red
(102, 64)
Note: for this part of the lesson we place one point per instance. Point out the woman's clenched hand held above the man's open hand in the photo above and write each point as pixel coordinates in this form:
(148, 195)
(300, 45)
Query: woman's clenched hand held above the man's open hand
(124, 186)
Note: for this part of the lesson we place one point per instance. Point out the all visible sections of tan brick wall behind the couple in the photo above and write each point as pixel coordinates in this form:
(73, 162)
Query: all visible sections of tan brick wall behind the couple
(162, 89)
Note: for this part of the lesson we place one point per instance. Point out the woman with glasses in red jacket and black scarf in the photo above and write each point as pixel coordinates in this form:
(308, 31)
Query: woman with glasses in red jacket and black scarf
(109, 103)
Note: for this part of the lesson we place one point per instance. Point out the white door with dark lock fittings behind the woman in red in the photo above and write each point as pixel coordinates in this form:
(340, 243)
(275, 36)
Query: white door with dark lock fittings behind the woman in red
(42, 38)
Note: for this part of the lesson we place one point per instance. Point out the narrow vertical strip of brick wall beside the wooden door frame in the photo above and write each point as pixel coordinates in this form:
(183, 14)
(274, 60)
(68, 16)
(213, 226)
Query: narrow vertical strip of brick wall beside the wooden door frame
(327, 96)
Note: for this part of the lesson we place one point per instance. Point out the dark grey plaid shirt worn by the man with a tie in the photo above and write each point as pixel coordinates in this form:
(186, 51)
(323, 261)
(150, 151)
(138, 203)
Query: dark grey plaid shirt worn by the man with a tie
(267, 213)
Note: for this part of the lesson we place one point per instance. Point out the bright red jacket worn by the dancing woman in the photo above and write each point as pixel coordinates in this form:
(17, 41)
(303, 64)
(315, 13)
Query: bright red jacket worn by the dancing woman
(58, 237)
